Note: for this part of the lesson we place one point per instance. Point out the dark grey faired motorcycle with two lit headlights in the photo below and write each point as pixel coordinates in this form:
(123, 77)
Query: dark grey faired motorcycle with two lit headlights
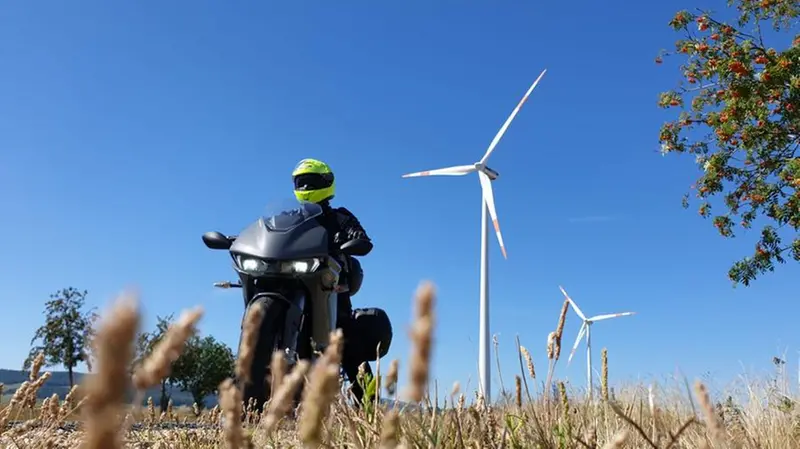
(285, 265)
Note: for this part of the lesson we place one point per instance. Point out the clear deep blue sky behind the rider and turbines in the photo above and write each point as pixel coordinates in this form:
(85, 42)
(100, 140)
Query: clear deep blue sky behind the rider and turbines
(127, 129)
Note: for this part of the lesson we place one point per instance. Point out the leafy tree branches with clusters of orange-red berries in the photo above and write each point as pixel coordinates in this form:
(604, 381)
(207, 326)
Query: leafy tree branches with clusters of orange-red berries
(740, 118)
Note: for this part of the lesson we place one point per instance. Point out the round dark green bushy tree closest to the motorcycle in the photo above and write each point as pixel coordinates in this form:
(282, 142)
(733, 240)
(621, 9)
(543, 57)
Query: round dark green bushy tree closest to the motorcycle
(202, 366)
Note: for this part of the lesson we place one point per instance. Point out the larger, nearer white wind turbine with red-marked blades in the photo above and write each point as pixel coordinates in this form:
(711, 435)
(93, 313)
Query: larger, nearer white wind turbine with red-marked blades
(486, 175)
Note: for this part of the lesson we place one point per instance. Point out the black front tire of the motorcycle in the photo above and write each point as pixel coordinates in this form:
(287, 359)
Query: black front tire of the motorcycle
(259, 388)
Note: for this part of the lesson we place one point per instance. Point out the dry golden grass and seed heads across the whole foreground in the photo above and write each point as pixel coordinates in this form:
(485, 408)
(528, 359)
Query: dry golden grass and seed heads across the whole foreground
(634, 417)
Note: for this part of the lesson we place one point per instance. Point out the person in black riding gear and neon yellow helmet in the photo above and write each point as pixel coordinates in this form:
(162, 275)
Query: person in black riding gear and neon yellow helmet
(314, 182)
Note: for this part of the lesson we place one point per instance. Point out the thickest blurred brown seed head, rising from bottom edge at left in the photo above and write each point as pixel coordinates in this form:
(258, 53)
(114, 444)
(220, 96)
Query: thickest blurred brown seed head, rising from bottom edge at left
(106, 389)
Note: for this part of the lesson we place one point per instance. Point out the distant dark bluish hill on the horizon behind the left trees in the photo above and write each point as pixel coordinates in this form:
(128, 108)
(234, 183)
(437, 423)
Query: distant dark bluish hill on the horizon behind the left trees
(59, 384)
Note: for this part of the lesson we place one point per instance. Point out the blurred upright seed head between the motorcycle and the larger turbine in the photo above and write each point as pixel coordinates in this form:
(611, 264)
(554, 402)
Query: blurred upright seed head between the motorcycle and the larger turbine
(422, 341)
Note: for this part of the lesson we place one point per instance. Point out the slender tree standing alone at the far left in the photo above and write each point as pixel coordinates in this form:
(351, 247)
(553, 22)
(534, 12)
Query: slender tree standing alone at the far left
(65, 335)
